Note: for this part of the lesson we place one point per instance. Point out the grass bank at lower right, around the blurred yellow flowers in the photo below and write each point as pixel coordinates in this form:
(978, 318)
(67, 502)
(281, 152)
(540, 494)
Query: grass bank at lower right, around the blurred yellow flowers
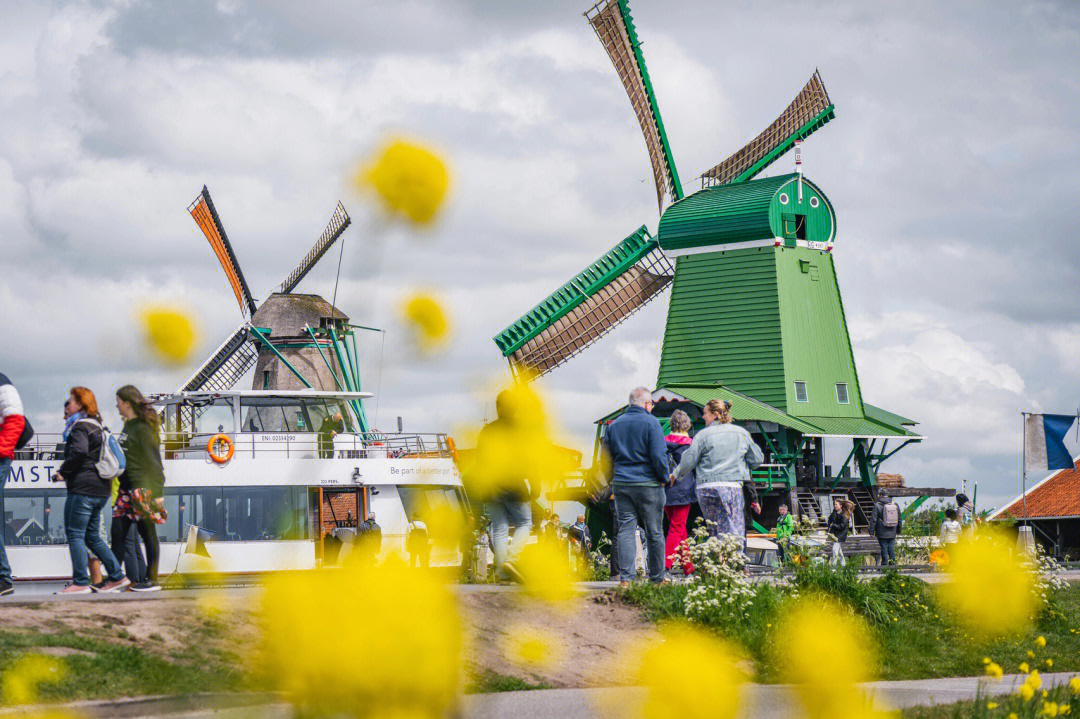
(916, 639)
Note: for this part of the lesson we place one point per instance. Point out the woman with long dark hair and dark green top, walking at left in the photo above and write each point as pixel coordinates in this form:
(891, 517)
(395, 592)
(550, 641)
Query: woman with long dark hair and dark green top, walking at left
(140, 504)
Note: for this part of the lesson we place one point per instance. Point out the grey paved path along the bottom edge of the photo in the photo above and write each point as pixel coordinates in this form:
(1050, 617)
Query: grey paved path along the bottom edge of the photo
(759, 701)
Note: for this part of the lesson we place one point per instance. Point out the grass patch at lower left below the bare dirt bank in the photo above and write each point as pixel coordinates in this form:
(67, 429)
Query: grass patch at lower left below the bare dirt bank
(110, 670)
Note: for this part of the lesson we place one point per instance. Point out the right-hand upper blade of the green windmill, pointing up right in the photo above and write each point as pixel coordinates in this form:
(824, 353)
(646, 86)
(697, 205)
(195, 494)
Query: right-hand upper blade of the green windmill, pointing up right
(811, 110)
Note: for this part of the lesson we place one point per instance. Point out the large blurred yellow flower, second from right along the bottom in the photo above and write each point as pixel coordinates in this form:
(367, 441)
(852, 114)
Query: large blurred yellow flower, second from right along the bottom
(827, 654)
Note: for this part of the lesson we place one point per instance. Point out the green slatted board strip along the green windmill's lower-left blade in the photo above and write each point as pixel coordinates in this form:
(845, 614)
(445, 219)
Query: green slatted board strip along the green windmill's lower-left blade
(574, 293)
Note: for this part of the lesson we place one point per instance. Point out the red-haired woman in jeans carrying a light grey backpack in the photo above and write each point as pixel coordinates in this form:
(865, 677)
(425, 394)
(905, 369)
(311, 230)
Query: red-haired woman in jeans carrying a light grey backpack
(88, 495)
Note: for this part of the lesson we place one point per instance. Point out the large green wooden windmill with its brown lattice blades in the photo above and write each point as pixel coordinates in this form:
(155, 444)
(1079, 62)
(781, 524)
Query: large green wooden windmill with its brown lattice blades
(755, 315)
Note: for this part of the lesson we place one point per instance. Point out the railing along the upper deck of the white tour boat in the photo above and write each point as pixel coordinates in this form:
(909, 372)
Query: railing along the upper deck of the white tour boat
(288, 444)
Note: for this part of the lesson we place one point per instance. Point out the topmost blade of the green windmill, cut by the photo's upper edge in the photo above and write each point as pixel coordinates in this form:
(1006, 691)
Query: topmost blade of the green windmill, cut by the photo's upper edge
(615, 28)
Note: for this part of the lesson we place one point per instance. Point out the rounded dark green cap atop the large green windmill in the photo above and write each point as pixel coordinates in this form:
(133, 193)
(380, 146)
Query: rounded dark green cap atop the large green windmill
(747, 212)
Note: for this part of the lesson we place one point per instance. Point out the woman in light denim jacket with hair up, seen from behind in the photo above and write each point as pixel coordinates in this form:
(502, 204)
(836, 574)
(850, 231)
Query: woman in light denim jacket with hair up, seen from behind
(723, 456)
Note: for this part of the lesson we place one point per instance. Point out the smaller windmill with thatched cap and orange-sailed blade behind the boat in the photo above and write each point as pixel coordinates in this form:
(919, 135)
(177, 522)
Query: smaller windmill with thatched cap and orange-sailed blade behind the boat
(293, 341)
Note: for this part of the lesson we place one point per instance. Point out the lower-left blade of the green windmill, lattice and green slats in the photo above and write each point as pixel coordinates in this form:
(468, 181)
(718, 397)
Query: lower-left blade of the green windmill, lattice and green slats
(588, 307)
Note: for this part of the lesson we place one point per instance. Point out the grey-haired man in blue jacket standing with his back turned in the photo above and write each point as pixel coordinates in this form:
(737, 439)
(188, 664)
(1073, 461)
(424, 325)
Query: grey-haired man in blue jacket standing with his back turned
(639, 455)
